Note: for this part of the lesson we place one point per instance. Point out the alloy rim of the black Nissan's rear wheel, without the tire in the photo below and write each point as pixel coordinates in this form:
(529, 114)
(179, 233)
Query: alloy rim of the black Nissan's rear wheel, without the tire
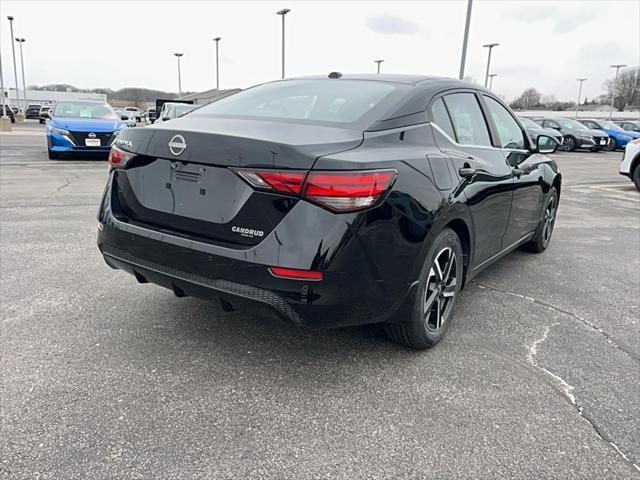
(441, 289)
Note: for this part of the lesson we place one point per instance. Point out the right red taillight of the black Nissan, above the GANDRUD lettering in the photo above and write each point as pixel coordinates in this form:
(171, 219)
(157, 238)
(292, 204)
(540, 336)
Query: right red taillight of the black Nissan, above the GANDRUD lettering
(342, 191)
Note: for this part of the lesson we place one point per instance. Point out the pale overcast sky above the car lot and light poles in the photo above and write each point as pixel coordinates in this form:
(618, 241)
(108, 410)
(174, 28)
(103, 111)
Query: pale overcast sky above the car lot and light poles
(116, 44)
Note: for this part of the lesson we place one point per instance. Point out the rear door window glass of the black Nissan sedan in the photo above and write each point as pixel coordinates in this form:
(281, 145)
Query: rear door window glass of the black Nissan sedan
(467, 118)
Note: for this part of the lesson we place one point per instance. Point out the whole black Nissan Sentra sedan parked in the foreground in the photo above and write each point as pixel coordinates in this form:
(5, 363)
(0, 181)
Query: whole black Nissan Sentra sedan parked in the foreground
(331, 201)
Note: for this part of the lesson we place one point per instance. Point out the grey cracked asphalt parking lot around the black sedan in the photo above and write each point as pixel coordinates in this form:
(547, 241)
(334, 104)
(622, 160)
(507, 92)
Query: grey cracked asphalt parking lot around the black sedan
(538, 376)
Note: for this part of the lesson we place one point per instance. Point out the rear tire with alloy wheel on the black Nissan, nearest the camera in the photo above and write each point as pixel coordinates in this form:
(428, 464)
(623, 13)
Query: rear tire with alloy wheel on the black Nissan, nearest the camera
(438, 291)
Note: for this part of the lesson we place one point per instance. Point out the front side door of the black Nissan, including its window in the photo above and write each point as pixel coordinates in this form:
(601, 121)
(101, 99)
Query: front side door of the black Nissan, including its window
(528, 178)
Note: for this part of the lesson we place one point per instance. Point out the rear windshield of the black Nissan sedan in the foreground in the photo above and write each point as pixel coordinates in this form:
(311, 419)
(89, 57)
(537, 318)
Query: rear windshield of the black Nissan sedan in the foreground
(341, 101)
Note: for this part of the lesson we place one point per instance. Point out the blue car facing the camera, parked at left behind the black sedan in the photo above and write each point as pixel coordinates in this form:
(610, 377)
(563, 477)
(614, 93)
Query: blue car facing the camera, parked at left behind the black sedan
(82, 126)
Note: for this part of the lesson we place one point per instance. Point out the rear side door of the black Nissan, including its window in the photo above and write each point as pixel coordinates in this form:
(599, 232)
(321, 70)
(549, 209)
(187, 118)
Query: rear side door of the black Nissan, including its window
(461, 132)
